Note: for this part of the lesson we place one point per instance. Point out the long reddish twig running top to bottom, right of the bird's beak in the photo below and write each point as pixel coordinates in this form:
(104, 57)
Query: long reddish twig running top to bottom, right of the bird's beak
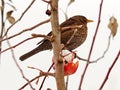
(93, 41)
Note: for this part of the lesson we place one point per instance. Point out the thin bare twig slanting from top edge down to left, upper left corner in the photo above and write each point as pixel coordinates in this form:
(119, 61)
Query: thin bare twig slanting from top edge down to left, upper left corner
(19, 17)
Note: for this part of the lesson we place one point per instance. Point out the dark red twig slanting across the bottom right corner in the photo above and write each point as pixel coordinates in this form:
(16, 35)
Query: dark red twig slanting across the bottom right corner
(109, 71)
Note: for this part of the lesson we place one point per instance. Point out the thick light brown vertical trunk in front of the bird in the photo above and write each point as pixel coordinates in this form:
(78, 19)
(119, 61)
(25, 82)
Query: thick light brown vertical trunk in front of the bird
(59, 71)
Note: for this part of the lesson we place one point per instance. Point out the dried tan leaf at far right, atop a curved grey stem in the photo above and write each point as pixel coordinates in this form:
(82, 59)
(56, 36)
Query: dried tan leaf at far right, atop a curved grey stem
(113, 25)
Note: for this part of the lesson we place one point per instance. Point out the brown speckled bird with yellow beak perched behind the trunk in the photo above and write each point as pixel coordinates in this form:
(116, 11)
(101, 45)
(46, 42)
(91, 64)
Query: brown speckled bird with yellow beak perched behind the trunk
(72, 37)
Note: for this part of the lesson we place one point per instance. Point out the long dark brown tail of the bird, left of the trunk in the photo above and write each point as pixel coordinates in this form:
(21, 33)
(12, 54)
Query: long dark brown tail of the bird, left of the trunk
(42, 47)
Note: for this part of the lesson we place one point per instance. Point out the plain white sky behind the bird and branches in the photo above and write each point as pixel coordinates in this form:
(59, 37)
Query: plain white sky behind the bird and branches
(10, 77)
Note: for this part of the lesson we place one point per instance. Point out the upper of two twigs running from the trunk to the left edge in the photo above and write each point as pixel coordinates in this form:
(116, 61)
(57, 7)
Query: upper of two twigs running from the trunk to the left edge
(25, 30)
